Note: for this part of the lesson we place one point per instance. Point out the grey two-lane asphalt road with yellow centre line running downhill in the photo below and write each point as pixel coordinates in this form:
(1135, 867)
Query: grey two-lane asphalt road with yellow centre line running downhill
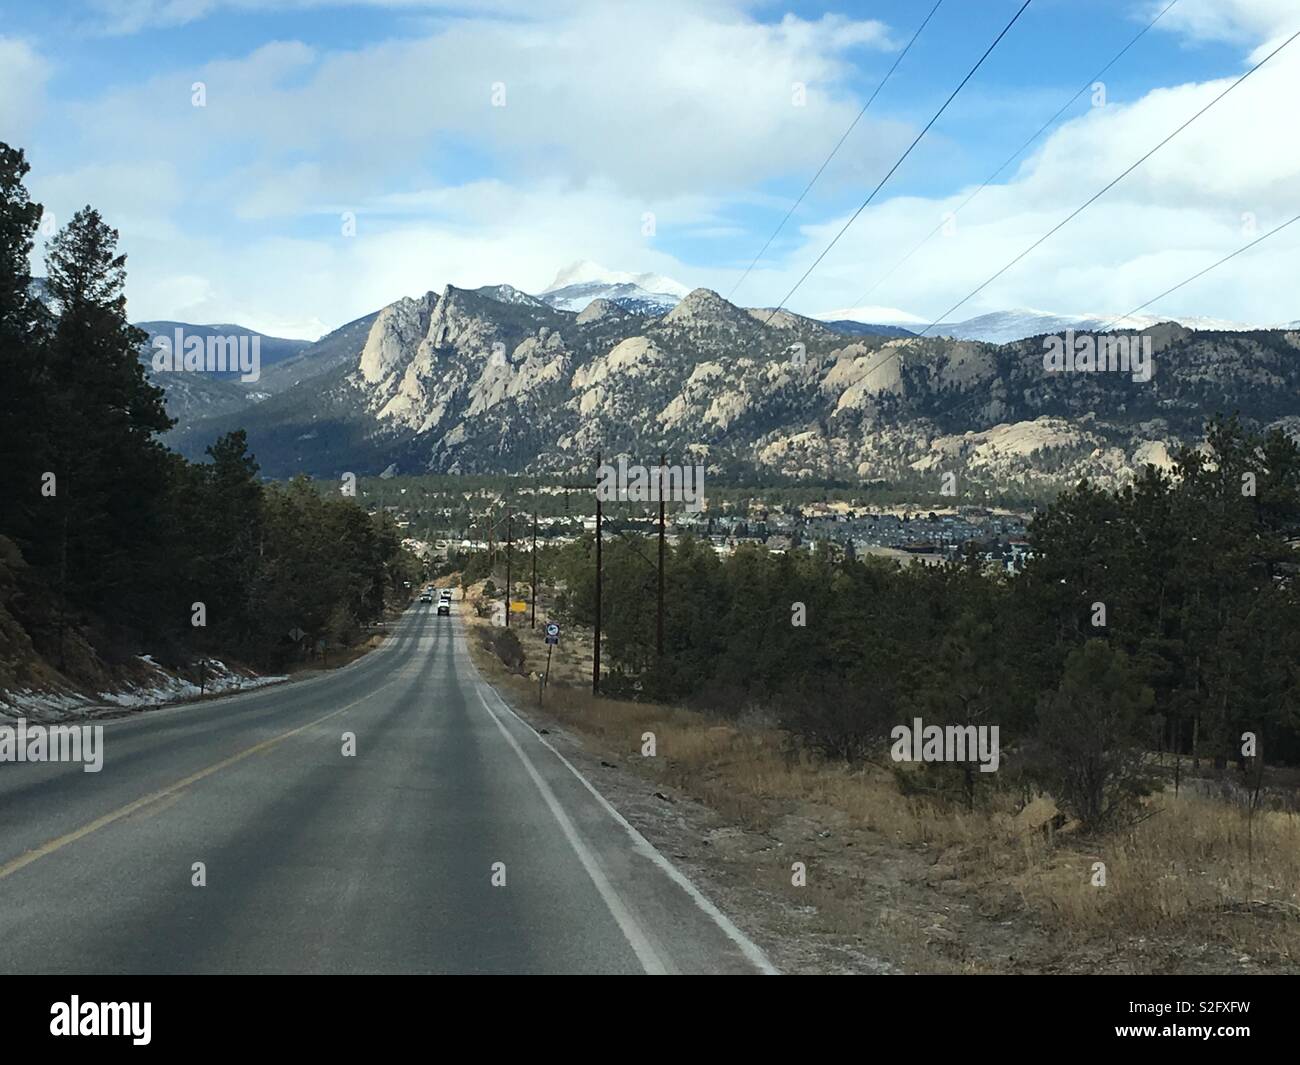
(320, 863)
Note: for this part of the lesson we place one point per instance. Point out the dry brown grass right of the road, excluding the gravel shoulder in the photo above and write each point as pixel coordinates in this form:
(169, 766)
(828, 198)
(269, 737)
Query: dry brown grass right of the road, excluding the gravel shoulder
(1182, 877)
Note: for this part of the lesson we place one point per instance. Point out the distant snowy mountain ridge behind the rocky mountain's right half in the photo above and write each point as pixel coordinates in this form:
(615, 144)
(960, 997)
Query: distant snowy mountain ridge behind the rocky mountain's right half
(1021, 323)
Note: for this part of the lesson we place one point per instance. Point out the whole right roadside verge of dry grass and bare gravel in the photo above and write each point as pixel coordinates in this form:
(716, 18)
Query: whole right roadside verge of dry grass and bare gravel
(905, 876)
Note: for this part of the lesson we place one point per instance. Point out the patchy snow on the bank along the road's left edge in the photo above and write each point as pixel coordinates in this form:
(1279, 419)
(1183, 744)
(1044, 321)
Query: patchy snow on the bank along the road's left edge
(161, 689)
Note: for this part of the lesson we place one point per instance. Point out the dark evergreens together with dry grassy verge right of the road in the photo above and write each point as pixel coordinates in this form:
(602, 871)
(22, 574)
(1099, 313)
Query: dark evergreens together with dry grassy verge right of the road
(1143, 673)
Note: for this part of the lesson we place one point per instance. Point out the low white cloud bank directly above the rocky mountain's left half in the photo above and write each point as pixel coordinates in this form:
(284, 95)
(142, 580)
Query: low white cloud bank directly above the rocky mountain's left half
(476, 235)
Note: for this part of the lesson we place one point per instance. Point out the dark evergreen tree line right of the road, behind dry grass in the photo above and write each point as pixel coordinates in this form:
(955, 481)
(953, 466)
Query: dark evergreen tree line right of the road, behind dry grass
(1163, 617)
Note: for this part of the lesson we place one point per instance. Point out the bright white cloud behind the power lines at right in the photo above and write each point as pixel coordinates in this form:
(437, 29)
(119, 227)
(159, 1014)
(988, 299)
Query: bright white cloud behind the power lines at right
(1229, 177)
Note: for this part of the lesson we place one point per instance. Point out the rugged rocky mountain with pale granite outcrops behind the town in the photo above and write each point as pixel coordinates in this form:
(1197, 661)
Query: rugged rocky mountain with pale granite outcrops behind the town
(466, 382)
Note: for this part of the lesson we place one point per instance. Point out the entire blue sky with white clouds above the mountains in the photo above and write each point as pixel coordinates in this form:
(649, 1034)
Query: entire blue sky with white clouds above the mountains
(291, 166)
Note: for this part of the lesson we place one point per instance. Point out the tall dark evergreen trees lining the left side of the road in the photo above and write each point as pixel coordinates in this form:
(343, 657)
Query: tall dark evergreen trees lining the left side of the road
(111, 546)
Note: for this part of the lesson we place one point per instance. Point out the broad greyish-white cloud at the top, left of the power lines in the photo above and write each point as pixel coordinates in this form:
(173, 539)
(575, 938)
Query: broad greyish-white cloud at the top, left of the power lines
(658, 99)
